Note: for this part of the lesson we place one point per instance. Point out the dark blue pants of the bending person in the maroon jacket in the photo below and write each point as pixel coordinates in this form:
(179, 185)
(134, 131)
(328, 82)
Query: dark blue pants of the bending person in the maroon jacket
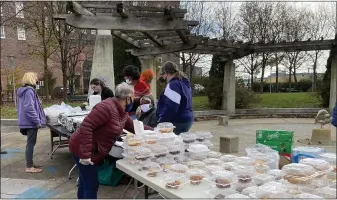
(88, 180)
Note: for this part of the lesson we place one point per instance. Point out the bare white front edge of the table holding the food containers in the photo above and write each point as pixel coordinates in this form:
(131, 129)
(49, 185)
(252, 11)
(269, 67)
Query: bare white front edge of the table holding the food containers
(185, 192)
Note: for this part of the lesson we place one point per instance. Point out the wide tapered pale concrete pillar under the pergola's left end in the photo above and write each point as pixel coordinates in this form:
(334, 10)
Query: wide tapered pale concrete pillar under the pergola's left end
(102, 65)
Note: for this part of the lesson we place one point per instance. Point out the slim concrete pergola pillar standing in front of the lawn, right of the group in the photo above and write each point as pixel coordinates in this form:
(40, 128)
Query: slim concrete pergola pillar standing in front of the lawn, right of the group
(228, 99)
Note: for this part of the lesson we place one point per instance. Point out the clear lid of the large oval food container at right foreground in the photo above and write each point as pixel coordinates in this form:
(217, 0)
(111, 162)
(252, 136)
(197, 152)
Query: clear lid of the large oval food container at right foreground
(297, 169)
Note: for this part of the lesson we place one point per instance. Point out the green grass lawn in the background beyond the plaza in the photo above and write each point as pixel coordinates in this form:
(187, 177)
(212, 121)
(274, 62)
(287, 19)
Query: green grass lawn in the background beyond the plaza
(274, 100)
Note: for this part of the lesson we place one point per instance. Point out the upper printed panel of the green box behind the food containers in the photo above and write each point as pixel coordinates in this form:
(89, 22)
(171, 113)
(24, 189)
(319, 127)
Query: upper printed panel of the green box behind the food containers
(274, 135)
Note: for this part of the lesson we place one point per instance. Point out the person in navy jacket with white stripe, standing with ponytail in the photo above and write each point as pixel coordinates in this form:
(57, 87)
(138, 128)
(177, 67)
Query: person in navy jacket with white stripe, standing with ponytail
(175, 102)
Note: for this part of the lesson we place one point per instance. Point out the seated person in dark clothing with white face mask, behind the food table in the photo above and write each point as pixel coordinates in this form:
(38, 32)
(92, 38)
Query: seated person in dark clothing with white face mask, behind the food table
(148, 111)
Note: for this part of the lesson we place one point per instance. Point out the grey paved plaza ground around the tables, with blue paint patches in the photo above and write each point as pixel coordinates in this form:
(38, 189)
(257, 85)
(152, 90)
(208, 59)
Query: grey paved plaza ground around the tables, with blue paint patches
(54, 182)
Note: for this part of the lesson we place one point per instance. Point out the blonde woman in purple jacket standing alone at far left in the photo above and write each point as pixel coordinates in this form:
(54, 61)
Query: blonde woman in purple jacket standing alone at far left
(31, 117)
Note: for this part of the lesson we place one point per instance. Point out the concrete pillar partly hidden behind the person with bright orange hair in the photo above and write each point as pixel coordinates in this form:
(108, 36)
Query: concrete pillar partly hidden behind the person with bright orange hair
(149, 62)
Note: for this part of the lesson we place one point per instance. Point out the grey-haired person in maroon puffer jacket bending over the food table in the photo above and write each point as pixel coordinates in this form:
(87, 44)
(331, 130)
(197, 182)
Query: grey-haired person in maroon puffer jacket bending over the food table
(100, 129)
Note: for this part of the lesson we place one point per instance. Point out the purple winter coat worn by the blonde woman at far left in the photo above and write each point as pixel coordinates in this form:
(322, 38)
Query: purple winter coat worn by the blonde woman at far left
(30, 112)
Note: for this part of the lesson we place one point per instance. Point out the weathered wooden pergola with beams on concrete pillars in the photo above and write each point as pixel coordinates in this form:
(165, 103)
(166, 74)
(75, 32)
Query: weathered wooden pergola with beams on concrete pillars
(154, 31)
